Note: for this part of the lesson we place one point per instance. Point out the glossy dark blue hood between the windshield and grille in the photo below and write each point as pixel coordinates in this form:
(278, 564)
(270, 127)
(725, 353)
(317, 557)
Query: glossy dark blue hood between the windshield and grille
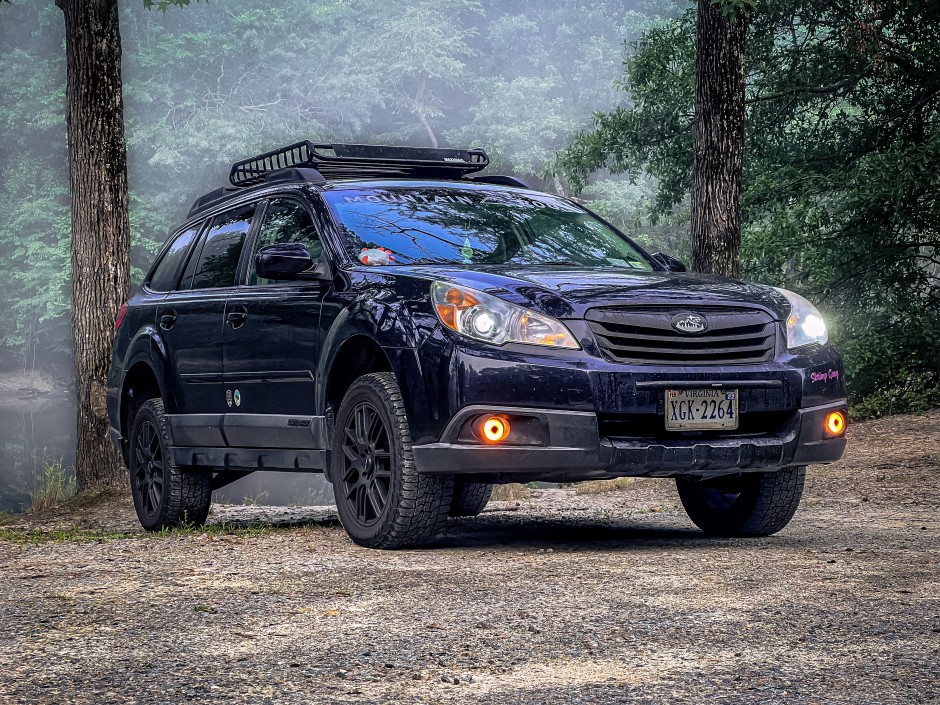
(565, 292)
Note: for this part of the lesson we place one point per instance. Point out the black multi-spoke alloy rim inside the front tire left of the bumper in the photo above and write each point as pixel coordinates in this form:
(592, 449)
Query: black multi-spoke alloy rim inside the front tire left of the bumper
(367, 463)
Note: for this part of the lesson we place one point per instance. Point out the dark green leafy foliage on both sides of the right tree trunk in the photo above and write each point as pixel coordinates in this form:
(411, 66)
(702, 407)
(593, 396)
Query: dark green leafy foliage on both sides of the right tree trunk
(842, 171)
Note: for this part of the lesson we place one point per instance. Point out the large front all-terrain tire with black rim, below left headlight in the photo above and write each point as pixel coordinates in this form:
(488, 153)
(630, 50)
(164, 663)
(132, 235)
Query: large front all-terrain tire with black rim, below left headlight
(415, 506)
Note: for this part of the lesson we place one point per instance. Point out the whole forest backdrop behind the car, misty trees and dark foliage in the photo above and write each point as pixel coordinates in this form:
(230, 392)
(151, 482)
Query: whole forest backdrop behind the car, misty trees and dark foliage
(593, 100)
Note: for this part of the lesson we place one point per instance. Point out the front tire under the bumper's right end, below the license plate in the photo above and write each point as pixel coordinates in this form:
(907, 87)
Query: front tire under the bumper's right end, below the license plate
(749, 504)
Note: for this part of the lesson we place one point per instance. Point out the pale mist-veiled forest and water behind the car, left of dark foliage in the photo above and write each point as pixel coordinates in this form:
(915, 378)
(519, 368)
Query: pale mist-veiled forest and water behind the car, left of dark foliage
(216, 82)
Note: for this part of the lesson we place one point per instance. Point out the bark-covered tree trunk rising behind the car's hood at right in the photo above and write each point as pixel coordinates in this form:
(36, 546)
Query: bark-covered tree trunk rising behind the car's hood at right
(719, 140)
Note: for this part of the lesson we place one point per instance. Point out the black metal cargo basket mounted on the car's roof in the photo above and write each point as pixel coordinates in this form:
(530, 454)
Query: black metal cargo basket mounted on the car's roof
(345, 161)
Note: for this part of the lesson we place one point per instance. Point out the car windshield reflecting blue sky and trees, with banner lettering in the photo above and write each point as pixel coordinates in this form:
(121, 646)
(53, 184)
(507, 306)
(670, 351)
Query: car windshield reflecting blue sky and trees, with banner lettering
(475, 226)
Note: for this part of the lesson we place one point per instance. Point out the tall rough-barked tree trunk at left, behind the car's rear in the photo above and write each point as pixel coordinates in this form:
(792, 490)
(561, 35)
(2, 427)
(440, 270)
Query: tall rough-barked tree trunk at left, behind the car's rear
(100, 226)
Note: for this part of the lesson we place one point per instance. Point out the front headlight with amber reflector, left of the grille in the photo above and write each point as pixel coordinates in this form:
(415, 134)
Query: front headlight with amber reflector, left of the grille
(491, 320)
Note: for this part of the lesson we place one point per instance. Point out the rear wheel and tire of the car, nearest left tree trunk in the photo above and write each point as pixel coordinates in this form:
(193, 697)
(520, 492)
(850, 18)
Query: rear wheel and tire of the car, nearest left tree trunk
(165, 495)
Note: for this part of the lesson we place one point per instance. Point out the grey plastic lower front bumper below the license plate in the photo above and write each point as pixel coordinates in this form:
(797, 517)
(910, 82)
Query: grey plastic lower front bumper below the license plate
(576, 450)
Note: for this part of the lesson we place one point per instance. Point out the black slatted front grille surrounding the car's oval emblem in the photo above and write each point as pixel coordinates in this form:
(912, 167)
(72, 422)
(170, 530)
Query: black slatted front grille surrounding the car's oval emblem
(645, 336)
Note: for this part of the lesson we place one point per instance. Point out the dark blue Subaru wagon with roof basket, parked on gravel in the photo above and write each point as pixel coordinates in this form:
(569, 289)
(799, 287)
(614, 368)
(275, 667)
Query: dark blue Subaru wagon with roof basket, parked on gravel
(419, 332)
